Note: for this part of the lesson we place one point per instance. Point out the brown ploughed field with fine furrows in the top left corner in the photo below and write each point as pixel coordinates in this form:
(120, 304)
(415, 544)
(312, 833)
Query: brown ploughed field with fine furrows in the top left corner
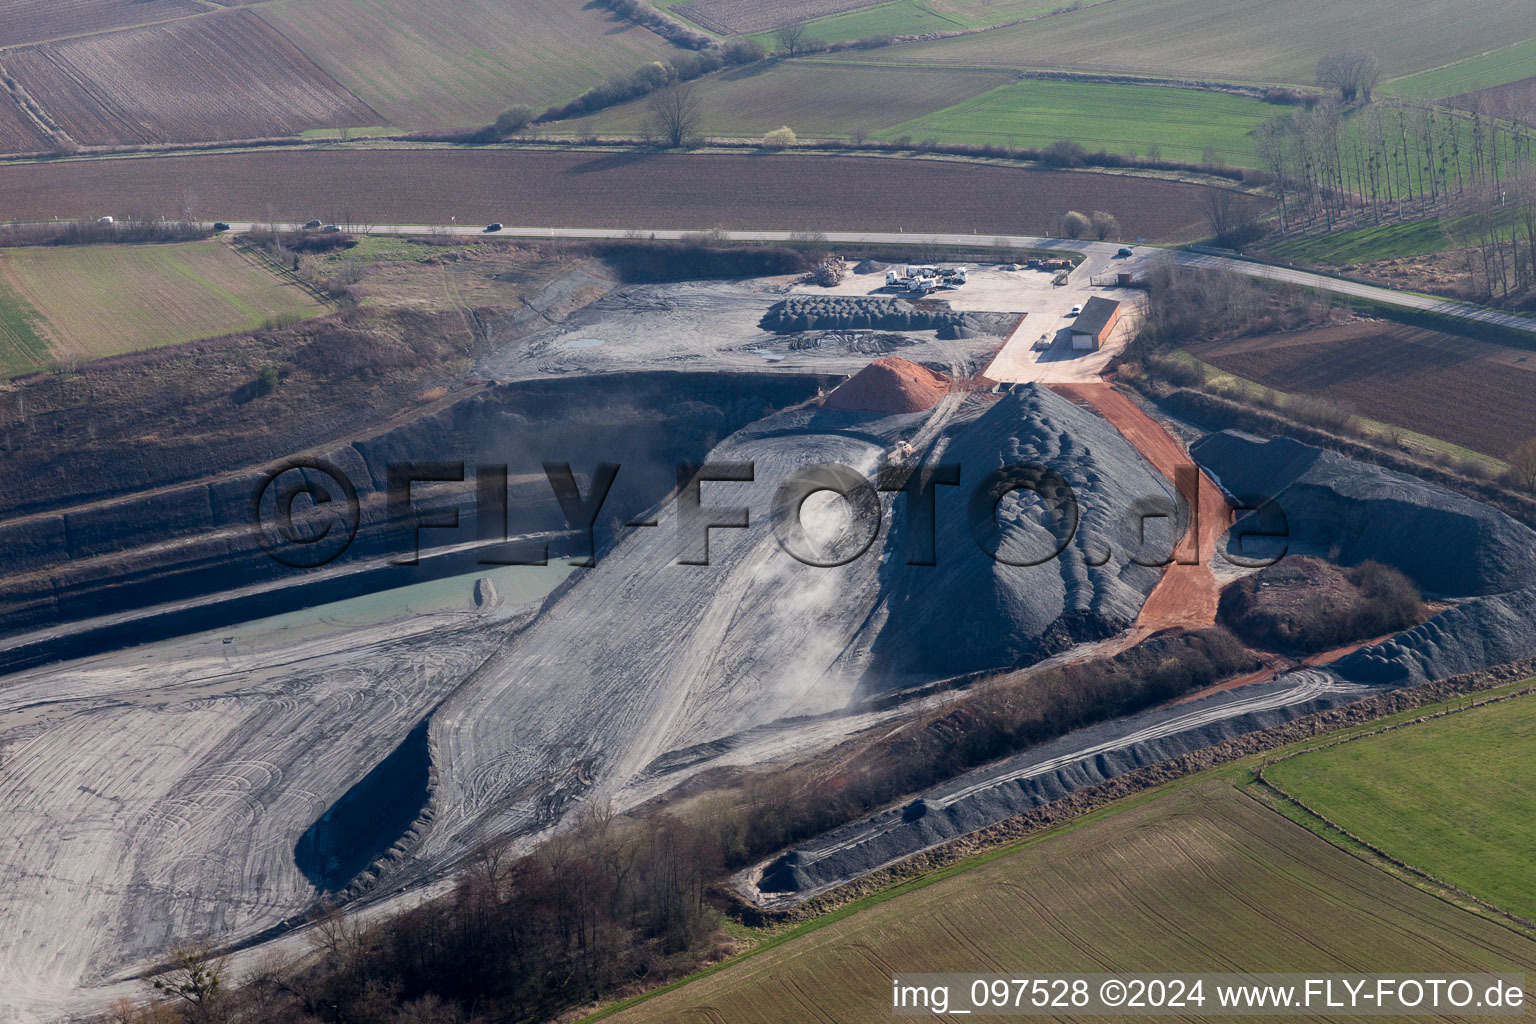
(199, 79)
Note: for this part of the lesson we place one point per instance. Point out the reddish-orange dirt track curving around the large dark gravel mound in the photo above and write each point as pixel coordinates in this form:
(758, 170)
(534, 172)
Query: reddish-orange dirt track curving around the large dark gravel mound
(1188, 592)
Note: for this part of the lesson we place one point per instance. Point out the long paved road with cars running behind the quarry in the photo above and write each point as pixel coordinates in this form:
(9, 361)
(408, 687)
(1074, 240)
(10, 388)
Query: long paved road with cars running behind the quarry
(1462, 311)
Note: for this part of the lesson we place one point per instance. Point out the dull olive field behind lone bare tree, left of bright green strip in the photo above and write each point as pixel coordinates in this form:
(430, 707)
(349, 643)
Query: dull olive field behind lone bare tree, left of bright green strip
(816, 101)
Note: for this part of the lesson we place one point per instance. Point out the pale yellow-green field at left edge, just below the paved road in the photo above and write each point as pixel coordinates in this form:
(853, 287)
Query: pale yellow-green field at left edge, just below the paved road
(91, 302)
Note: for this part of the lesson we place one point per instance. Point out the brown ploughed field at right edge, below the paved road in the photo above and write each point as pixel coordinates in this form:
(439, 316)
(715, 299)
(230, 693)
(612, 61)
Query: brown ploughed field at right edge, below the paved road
(1399, 375)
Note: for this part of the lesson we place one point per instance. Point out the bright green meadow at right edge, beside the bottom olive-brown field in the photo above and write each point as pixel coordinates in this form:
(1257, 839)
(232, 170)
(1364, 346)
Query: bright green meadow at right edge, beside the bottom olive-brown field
(1455, 798)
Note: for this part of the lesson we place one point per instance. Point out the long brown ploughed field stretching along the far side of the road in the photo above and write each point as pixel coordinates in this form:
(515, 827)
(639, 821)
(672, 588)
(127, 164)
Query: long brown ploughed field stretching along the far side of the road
(623, 190)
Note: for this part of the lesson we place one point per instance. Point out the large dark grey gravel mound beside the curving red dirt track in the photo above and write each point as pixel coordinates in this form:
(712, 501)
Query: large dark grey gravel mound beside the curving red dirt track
(973, 612)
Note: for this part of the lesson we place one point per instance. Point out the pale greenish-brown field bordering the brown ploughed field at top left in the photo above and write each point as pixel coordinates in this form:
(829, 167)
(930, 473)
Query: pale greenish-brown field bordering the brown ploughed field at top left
(463, 62)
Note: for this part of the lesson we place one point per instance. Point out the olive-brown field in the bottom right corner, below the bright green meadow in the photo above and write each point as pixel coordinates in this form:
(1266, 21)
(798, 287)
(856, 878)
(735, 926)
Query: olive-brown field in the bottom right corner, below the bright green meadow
(1203, 877)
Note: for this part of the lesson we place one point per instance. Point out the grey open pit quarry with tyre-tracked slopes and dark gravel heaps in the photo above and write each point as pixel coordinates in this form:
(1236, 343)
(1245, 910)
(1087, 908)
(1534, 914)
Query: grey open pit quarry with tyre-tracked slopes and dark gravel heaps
(217, 787)
